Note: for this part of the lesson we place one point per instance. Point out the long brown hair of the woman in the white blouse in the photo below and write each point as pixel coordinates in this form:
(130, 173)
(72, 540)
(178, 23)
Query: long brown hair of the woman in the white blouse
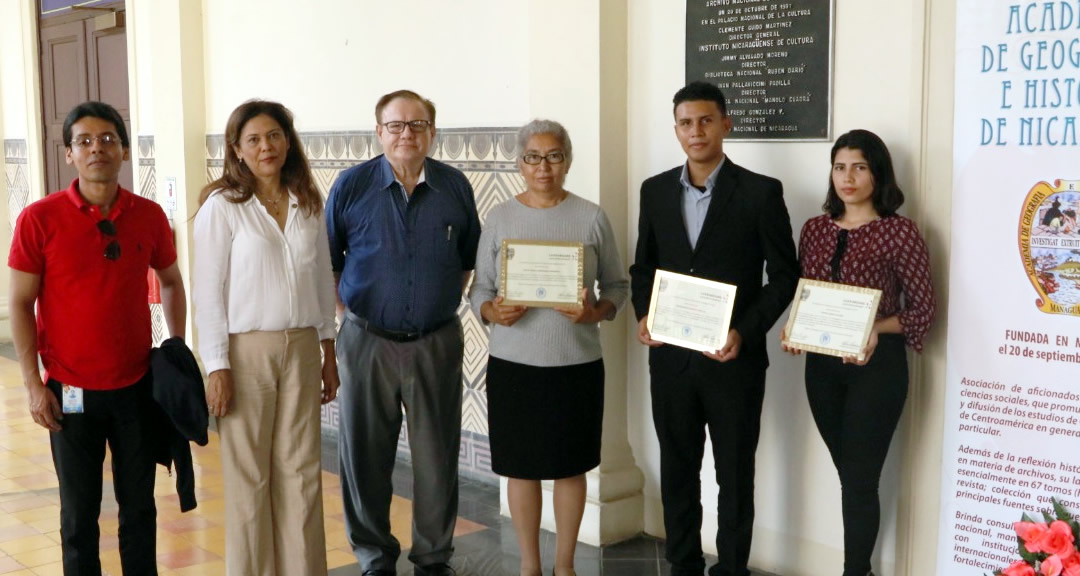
(238, 179)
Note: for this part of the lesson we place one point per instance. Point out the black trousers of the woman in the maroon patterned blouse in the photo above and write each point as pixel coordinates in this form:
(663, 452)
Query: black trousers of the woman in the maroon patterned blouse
(857, 410)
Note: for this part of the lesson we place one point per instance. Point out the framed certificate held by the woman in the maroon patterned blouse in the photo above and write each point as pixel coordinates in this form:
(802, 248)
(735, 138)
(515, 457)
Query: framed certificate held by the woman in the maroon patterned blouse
(832, 319)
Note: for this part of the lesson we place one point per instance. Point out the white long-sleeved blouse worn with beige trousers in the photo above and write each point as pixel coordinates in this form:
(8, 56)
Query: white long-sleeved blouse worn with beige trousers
(250, 276)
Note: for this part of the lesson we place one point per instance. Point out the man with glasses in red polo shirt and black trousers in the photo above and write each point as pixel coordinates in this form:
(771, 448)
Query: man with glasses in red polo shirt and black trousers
(83, 256)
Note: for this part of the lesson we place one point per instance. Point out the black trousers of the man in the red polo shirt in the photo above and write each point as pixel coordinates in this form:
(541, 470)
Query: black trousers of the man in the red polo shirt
(117, 418)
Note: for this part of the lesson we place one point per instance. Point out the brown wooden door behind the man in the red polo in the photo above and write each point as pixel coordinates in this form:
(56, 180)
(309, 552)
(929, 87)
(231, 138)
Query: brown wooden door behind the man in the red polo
(80, 63)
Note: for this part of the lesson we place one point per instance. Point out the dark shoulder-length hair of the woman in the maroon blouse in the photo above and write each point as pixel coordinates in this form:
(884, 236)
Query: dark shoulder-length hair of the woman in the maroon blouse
(887, 195)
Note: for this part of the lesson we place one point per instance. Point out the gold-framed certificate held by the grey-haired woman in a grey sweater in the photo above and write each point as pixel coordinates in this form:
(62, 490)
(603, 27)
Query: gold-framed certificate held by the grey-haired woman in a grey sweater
(545, 275)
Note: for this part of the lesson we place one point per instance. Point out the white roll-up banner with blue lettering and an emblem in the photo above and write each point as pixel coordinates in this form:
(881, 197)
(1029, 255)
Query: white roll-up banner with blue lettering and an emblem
(1012, 412)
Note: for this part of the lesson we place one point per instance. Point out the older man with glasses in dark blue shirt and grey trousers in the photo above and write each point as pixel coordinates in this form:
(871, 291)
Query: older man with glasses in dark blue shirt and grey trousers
(403, 232)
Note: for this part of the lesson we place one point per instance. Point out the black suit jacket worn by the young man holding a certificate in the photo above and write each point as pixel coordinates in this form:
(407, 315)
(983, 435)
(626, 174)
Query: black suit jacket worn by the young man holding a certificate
(747, 230)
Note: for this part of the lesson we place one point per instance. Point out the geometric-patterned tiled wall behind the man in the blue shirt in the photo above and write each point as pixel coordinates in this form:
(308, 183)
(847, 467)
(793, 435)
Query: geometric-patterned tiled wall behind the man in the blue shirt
(488, 156)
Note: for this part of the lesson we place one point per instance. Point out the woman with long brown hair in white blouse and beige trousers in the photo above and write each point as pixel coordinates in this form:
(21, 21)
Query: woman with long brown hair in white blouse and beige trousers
(264, 302)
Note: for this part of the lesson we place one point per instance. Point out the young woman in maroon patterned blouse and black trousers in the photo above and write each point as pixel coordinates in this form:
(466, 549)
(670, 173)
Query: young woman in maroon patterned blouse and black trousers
(857, 404)
